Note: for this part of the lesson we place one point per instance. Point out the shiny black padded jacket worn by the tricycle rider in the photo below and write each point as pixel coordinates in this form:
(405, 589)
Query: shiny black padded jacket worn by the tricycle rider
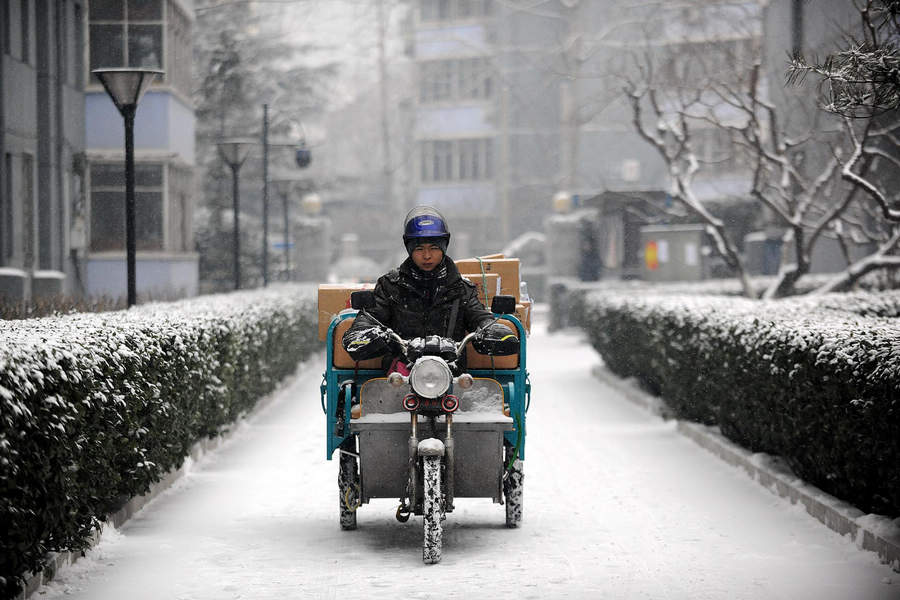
(415, 304)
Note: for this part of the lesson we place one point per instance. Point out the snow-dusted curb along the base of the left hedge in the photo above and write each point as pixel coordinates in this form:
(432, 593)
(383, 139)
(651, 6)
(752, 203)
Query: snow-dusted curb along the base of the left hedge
(56, 561)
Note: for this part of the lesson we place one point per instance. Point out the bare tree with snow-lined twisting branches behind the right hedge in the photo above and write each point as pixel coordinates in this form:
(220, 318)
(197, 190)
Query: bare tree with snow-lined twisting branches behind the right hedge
(846, 192)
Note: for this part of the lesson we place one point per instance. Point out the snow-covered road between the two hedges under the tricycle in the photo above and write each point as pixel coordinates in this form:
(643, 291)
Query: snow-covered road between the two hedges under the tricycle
(617, 505)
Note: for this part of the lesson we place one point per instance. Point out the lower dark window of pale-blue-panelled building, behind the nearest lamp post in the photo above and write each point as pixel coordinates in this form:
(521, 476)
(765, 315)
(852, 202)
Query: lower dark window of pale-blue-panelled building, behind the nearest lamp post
(108, 206)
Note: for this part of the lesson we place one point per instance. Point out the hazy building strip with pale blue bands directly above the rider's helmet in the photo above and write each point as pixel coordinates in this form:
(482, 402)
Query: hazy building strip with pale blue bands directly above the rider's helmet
(456, 126)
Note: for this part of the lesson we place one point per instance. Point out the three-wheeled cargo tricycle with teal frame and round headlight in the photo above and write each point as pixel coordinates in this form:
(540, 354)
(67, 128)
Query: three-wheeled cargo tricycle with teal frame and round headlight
(453, 427)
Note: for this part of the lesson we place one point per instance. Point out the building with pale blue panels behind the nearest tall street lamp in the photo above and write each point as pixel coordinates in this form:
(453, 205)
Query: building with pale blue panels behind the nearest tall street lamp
(153, 34)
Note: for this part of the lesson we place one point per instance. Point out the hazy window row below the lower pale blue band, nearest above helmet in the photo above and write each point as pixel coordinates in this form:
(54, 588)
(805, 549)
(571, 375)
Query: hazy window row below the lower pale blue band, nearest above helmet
(456, 160)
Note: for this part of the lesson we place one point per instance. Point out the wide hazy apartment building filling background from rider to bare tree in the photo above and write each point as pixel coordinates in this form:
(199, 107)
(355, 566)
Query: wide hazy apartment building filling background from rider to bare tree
(517, 102)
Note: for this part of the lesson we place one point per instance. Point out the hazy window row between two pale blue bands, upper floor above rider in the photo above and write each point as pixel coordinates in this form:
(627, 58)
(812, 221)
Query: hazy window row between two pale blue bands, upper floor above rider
(453, 80)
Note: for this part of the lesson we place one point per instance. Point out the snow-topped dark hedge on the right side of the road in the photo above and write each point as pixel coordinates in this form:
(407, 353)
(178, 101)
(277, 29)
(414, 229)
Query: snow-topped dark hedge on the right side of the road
(813, 379)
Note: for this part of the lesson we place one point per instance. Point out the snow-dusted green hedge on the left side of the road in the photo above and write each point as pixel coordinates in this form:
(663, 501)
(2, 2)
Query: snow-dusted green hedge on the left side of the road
(94, 408)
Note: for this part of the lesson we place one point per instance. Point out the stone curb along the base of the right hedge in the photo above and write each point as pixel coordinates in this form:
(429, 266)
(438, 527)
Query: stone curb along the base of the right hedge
(874, 533)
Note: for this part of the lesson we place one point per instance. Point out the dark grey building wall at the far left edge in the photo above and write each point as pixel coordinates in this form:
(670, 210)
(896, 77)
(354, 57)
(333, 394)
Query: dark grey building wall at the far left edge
(41, 142)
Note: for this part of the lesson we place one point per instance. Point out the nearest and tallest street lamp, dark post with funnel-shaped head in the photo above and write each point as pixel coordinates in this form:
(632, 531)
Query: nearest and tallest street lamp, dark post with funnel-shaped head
(126, 86)
